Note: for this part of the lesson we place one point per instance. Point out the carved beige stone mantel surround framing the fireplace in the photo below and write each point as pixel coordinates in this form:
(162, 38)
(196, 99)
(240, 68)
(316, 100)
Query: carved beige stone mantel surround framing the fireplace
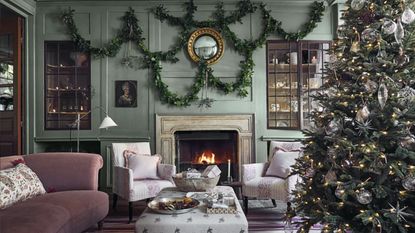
(167, 125)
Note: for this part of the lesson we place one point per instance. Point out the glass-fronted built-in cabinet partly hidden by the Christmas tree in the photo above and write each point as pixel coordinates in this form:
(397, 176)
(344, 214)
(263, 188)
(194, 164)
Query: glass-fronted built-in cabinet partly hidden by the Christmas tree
(295, 71)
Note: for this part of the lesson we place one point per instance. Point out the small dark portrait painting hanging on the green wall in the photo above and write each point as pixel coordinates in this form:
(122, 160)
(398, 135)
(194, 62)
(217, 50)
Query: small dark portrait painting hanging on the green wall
(126, 93)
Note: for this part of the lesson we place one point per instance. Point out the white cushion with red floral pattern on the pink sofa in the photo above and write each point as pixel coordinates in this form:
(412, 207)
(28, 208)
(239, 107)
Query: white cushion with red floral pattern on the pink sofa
(18, 184)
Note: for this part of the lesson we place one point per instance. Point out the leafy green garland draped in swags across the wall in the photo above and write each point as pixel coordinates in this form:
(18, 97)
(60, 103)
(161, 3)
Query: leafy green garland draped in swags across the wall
(132, 32)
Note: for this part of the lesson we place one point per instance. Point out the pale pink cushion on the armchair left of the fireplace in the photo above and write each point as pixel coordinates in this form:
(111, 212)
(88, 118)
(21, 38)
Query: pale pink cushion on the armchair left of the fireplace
(143, 166)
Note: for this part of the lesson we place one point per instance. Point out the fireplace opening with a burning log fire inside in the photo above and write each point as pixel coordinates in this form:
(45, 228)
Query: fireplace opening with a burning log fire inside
(199, 149)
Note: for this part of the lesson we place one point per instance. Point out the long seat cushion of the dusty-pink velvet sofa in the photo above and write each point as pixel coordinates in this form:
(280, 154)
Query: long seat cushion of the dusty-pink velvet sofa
(69, 211)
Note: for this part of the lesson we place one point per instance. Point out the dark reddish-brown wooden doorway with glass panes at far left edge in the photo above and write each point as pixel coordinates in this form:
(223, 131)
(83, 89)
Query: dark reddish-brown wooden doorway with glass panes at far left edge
(11, 73)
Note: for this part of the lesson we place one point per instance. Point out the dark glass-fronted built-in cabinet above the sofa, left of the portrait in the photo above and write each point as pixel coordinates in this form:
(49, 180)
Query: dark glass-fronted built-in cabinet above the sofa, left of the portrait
(67, 86)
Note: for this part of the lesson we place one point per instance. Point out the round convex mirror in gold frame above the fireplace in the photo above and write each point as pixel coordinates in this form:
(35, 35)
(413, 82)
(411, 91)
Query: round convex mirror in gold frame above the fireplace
(207, 44)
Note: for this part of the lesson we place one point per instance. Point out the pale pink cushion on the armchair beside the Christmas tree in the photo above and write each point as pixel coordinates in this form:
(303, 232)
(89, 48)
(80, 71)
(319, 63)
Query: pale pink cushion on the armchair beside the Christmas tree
(281, 162)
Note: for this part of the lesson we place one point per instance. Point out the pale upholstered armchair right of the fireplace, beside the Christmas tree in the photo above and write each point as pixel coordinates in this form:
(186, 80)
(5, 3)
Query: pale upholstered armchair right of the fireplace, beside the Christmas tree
(256, 185)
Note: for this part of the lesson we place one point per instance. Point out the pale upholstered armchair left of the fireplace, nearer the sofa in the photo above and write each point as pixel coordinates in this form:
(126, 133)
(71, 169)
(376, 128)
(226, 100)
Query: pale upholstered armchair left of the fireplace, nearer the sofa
(126, 187)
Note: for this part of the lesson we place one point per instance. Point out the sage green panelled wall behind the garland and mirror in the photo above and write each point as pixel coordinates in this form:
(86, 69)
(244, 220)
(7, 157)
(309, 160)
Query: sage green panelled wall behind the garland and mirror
(99, 21)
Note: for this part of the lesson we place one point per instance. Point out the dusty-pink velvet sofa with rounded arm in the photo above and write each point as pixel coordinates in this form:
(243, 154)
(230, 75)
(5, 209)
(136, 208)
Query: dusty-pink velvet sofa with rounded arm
(73, 203)
